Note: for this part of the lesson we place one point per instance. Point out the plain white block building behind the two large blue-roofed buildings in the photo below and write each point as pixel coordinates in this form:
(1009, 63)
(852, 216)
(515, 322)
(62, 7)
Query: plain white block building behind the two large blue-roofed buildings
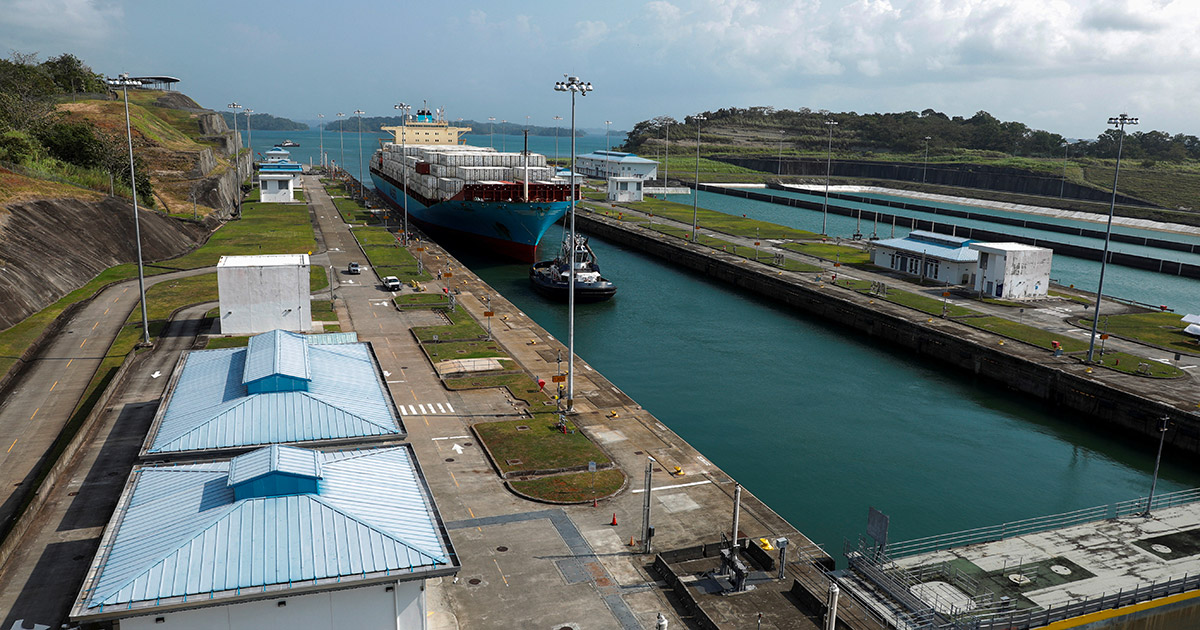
(262, 293)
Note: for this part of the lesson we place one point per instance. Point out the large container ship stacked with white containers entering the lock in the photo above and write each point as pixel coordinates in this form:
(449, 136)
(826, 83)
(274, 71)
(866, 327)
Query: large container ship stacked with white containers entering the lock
(506, 201)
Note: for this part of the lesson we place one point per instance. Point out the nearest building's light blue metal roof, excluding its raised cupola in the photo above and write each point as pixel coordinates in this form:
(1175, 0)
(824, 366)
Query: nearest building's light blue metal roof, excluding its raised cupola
(181, 533)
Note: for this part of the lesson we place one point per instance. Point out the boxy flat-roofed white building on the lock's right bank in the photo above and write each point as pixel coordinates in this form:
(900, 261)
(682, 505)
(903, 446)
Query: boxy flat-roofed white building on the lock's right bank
(1012, 271)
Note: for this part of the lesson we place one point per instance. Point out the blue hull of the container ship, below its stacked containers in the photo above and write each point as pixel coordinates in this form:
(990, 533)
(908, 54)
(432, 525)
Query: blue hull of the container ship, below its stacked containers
(513, 229)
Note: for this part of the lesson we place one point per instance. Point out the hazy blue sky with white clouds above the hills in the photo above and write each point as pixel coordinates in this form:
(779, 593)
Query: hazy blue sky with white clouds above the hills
(1064, 67)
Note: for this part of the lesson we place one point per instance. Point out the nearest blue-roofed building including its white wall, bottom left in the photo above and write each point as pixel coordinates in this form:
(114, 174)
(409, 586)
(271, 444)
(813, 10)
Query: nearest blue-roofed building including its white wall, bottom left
(280, 537)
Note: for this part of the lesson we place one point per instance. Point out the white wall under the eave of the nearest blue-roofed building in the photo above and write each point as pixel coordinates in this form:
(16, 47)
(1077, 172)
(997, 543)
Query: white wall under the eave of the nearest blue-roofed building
(376, 607)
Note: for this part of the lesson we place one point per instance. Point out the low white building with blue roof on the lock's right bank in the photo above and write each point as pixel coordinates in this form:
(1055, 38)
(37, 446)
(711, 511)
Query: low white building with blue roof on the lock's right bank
(928, 255)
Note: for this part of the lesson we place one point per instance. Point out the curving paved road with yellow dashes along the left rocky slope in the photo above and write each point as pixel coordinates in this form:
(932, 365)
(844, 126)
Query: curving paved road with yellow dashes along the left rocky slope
(43, 400)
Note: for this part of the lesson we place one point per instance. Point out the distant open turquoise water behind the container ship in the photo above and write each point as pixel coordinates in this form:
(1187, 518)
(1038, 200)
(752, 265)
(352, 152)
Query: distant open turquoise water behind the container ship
(344, 148)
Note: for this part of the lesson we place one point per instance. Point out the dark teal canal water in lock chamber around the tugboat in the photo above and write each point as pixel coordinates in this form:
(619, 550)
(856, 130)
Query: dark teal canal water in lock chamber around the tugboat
(823, 423)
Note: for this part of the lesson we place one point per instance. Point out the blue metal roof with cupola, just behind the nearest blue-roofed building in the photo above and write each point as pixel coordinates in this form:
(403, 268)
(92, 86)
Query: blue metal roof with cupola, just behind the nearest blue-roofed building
(283, 389)
